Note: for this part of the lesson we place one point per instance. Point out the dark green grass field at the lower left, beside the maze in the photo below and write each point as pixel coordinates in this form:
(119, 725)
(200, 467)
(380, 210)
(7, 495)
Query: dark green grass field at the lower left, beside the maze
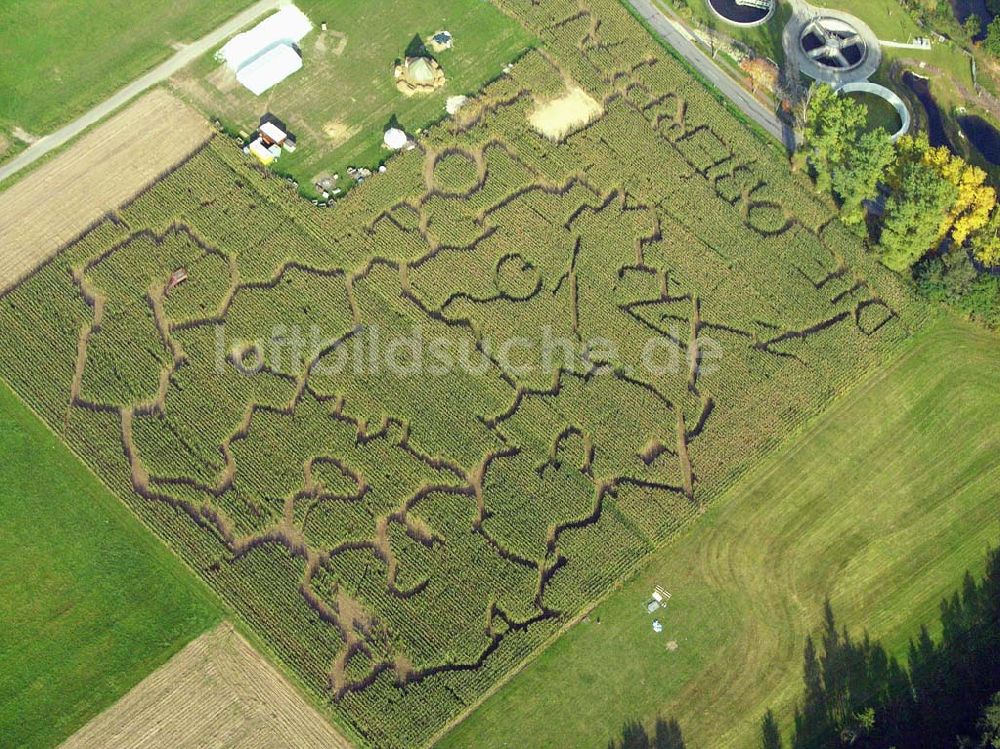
(91, 601)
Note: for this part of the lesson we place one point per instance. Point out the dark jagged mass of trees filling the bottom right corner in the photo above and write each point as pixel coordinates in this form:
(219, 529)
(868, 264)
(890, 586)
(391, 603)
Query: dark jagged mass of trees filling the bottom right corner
(856, 695)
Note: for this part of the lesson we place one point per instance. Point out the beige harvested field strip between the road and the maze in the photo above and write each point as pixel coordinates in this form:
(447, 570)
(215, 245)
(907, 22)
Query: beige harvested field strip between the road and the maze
(54, 204)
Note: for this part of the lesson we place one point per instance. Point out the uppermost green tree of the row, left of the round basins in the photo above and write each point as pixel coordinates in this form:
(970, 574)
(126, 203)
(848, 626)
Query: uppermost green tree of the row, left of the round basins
(833, 126)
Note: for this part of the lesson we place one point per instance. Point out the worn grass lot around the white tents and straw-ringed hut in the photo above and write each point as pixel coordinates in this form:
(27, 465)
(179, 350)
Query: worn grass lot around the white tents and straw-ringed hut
(341, 102)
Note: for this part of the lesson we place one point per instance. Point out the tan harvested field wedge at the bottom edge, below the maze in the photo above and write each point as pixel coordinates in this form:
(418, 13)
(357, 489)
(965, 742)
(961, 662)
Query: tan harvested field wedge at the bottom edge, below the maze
(217, 692)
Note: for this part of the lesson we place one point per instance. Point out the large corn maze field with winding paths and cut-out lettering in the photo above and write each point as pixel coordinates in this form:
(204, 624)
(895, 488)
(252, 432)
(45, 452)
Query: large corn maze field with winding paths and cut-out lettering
(401, 542)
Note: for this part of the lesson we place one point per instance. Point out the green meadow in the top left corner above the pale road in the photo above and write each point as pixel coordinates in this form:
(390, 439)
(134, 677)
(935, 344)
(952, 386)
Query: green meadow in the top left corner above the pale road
(63, 56)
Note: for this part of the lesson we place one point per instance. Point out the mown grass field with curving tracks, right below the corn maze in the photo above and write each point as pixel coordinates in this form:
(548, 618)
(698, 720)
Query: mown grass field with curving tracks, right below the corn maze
(882, 505)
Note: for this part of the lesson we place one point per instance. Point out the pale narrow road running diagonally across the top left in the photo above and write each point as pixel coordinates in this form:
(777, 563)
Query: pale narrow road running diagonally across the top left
(185, 55)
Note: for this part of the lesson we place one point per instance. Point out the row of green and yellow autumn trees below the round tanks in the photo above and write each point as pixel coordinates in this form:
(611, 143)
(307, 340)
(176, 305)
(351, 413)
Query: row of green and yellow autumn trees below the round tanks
(932, 216)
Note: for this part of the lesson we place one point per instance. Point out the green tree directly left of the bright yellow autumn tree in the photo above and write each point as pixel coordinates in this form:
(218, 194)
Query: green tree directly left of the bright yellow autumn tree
(920, 200)
